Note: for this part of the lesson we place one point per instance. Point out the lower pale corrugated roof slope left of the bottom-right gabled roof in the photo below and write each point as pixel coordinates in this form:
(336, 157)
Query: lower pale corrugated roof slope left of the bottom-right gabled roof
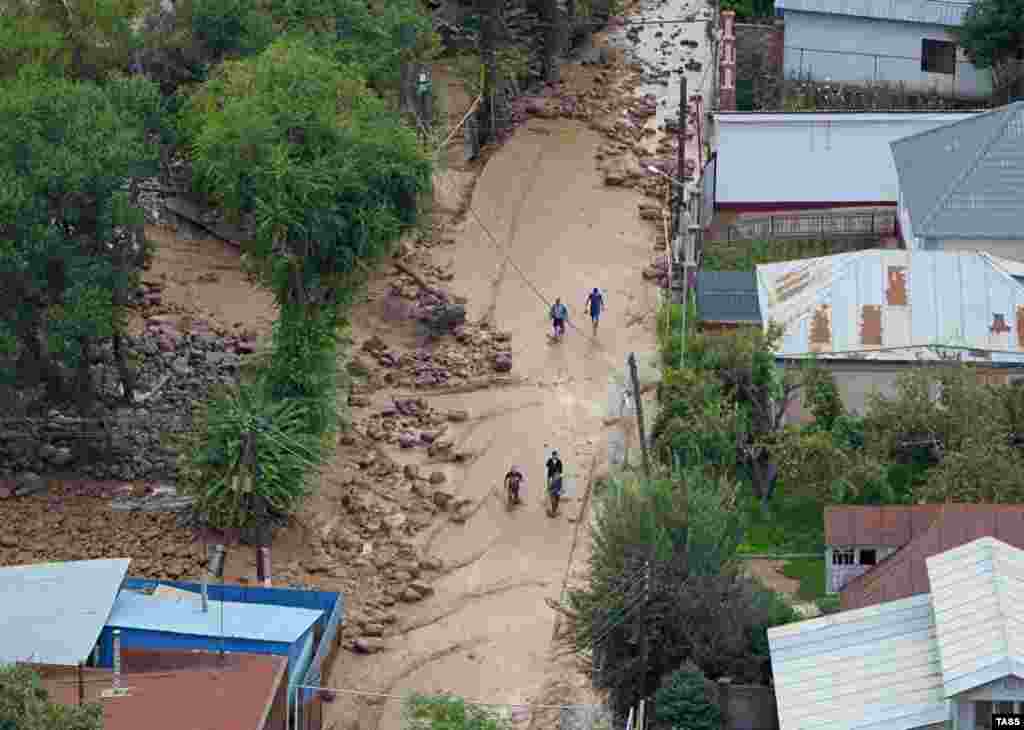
(874, 668)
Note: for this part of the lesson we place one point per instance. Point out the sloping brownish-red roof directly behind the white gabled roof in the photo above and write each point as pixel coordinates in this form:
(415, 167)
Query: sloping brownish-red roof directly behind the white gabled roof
(905, 574)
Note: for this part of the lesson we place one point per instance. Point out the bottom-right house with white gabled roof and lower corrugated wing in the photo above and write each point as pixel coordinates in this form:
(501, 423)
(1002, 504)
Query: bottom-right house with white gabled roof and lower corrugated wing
(949, 658)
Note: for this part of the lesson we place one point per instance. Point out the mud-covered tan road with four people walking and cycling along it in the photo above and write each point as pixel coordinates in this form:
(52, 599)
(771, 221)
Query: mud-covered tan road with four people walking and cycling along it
(541, 227)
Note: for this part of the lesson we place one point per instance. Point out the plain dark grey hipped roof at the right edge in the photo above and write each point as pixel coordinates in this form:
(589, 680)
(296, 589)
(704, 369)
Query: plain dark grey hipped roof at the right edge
(966, 181)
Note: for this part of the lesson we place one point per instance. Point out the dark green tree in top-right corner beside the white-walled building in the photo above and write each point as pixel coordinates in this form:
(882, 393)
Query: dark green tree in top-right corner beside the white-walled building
(993, 35)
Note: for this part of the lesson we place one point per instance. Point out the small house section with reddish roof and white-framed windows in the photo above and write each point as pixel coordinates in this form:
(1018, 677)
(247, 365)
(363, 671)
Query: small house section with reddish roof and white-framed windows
(859, 538)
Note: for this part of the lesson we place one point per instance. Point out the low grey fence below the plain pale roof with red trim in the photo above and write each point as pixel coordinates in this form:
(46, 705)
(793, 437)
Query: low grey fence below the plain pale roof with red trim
(809, 226)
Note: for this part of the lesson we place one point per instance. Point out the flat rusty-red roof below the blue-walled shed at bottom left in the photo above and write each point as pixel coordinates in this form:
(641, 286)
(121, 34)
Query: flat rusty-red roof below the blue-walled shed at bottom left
(173, 691)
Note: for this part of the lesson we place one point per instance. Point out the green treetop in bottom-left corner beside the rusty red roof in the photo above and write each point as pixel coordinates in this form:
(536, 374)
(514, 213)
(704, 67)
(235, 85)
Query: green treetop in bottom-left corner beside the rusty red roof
(25, 705)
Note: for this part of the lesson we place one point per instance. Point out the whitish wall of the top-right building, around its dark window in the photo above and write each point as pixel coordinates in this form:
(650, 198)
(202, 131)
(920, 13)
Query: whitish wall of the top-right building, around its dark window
(857, 50)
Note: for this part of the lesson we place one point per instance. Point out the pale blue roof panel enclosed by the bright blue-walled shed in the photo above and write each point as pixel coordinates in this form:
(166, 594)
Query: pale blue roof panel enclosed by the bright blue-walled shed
(255, 622)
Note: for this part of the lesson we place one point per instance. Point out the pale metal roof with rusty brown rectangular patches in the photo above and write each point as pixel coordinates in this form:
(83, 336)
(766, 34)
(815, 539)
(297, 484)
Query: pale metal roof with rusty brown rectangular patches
(884, 305)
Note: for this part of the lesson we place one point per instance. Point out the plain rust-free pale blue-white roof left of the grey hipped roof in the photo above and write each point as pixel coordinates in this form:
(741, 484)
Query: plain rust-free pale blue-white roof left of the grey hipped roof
(793, 158)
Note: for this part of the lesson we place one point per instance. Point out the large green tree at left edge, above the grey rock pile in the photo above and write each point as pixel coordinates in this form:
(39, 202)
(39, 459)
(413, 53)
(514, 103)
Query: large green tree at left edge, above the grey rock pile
(71, 237)
